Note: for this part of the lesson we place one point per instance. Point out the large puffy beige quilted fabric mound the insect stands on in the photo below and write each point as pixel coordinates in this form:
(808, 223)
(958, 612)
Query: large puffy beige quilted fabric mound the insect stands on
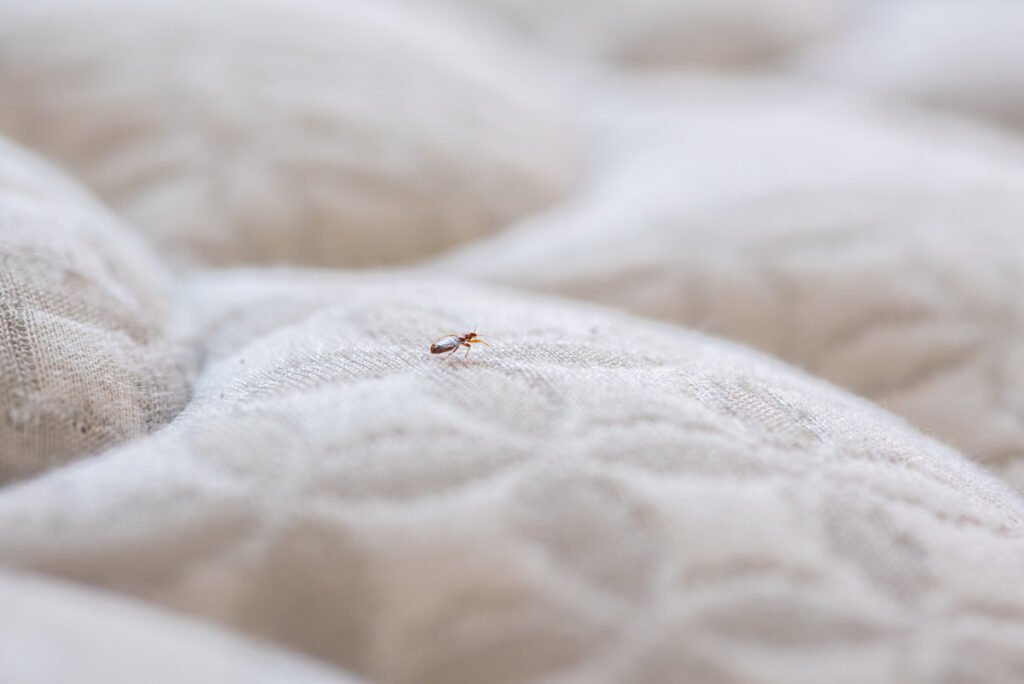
(594, 499)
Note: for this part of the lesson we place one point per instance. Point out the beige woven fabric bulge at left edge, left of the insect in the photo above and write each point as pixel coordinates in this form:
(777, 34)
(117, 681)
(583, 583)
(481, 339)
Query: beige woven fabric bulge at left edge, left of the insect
(91, 351)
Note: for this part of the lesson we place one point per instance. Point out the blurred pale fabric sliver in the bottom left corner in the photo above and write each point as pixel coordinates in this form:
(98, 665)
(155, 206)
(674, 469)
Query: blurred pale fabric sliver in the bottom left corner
(52, 632)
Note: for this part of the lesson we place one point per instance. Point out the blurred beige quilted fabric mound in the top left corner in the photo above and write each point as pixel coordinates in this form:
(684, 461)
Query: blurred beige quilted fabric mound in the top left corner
(336, 133)
